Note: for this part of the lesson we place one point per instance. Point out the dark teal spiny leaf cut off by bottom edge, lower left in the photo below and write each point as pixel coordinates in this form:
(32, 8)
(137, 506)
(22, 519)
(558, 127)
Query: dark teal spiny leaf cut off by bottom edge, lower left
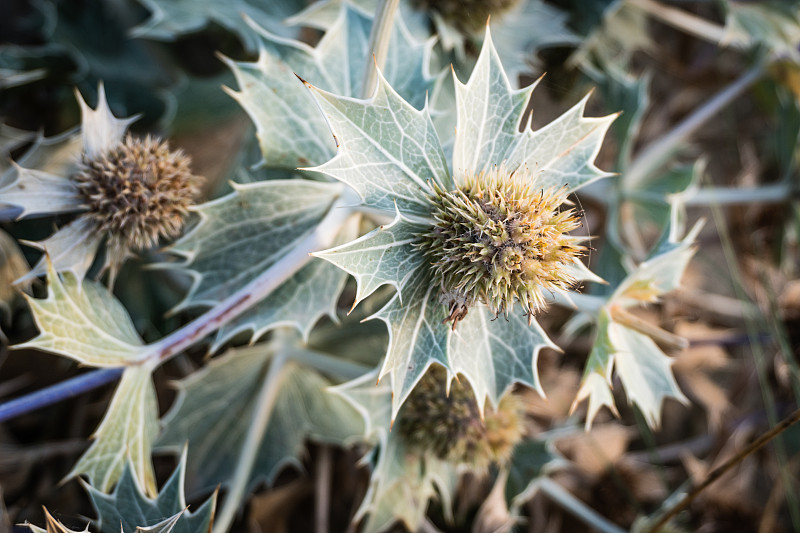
(130, 508)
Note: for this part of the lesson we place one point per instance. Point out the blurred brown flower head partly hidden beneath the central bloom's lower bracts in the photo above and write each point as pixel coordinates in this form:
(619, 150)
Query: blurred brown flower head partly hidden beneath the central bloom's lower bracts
(450, 425)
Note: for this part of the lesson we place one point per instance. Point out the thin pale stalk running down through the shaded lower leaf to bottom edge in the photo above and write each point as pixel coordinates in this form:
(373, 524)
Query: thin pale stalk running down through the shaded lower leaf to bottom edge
(264, 406)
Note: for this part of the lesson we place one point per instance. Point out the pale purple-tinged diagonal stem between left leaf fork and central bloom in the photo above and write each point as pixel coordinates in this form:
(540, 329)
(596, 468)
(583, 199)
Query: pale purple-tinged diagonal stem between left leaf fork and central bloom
(258, 289)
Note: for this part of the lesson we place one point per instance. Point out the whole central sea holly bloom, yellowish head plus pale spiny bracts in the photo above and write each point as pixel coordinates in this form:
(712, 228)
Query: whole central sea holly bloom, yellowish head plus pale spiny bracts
(477, 243)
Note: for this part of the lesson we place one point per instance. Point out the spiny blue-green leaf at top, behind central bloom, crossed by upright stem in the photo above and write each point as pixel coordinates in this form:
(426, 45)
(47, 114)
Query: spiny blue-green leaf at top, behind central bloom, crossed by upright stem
(290, 129)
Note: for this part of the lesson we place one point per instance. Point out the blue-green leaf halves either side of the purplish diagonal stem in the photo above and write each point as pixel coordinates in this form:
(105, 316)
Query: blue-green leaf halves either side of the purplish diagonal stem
(244, 233)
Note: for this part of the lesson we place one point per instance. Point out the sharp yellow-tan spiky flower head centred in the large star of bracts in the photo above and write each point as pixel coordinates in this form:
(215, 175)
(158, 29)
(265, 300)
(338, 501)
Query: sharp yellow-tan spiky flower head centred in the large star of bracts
(498, 239)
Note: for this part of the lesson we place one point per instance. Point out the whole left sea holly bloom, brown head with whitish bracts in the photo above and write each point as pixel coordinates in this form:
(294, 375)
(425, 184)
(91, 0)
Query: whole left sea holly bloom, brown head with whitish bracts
(130, 193)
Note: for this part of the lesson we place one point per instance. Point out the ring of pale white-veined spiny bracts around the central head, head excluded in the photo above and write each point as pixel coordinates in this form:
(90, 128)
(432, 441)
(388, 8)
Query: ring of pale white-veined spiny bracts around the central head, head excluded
(389, 152)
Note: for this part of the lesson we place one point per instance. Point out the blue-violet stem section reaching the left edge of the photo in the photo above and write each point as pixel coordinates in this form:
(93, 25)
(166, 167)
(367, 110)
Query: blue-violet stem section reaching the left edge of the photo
(58, 392)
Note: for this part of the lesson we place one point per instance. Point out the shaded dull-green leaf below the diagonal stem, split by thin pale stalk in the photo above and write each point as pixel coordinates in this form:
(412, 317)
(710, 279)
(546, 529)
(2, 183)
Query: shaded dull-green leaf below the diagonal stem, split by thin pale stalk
(216, 404)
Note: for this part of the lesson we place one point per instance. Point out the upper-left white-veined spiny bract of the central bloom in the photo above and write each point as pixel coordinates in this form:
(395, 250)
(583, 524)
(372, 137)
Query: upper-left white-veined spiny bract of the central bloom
(388, 150)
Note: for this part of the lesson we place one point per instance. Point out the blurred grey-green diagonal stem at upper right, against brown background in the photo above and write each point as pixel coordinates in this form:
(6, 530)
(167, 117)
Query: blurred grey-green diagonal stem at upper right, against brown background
(658, 152)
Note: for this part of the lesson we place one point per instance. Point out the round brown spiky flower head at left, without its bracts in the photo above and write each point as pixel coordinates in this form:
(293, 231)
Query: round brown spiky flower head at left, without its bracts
(137, 192)
